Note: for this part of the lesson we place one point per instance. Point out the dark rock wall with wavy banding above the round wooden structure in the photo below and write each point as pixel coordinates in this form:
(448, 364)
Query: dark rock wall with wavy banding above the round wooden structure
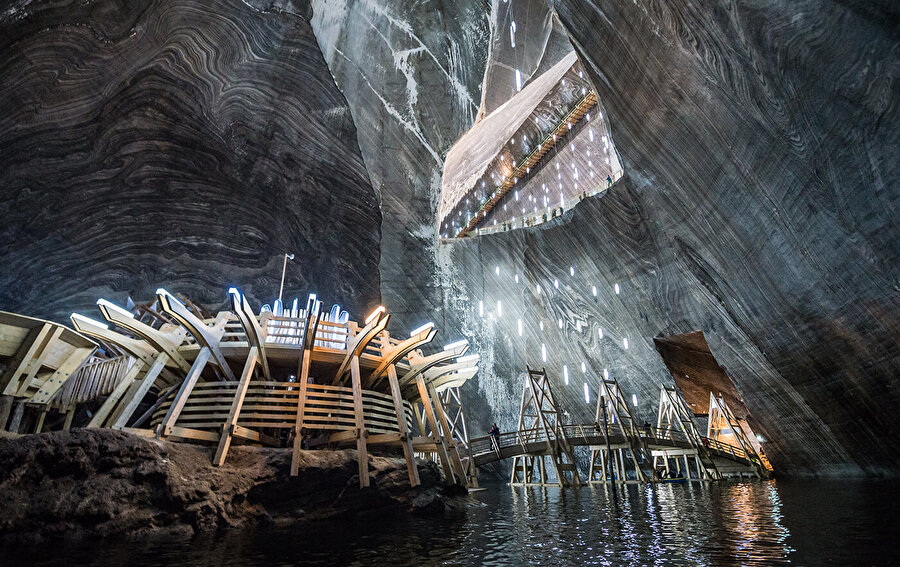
(176, 143)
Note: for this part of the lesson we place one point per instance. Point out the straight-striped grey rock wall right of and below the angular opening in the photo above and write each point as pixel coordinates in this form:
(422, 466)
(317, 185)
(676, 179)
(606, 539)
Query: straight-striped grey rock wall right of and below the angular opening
(759, 206)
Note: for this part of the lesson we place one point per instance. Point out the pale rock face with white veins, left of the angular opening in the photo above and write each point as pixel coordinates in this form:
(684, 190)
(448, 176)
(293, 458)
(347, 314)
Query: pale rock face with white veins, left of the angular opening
(412, 75)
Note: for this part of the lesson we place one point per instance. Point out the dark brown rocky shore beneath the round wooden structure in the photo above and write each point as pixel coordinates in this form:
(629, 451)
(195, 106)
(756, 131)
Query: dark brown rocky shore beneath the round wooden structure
(98, 482)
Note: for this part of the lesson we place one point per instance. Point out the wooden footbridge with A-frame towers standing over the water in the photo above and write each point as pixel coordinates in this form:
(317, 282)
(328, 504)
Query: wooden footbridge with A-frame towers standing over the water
(620, 450)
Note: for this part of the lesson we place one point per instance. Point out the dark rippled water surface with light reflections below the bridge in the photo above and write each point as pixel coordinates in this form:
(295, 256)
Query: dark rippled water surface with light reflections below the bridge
(749, 523)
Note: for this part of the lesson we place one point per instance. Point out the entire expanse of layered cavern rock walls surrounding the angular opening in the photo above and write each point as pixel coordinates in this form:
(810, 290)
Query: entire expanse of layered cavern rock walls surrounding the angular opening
(759, 141)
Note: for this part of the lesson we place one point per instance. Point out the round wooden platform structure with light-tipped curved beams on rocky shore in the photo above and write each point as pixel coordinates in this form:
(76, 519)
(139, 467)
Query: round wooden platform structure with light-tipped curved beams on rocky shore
(298, 378)
